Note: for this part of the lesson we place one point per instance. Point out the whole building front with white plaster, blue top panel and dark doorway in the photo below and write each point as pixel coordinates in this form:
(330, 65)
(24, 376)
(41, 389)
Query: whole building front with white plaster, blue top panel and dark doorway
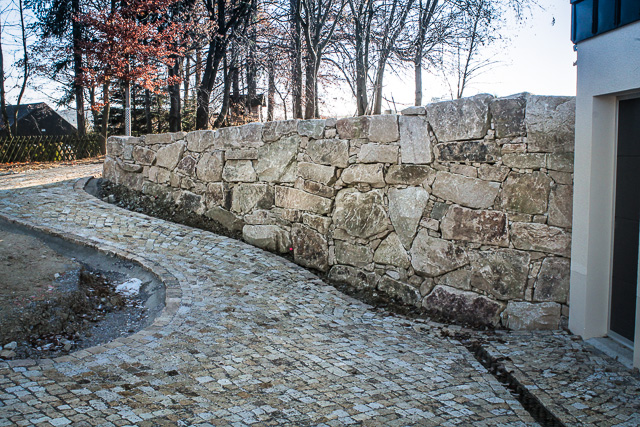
(604, 296)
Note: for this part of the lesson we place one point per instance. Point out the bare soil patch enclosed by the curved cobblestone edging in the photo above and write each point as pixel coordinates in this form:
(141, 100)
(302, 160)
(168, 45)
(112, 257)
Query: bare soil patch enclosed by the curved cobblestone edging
(56, 297)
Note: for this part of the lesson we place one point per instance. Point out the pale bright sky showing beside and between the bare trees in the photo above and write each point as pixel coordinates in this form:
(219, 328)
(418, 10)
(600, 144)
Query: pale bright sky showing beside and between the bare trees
(536, 57)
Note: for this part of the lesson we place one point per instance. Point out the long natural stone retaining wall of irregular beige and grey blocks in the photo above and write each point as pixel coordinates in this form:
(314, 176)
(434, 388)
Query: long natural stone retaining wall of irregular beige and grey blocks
(462, 207)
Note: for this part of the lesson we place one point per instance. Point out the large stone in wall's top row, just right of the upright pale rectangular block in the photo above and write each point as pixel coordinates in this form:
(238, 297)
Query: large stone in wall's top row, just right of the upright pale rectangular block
(461, 119)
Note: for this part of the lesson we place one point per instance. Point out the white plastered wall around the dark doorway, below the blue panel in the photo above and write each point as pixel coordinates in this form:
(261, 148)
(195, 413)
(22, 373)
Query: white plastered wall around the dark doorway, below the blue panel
(608, 68)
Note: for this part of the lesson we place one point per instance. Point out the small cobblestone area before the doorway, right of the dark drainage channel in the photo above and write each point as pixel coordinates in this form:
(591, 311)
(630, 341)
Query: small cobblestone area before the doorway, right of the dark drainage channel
(578, 384)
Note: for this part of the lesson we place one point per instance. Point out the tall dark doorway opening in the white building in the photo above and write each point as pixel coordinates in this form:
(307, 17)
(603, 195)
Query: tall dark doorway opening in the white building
(627, 221)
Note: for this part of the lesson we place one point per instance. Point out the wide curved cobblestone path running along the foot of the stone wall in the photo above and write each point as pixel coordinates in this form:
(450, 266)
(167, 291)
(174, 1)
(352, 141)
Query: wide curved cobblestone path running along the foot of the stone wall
(247, 338)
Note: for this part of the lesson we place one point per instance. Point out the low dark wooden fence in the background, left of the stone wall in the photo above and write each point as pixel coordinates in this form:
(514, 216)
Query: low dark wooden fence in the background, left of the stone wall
(48, 148)
